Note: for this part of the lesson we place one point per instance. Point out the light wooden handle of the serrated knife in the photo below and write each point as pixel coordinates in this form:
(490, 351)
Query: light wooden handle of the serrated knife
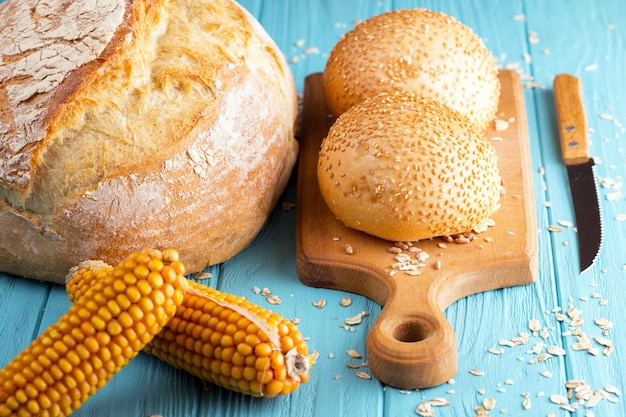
(572, 123)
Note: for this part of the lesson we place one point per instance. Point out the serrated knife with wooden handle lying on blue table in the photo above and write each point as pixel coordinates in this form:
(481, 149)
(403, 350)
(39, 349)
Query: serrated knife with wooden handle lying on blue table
(572, 126)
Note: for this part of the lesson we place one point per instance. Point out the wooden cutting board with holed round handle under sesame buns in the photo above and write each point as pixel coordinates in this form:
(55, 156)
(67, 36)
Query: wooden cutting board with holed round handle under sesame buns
(411, 344)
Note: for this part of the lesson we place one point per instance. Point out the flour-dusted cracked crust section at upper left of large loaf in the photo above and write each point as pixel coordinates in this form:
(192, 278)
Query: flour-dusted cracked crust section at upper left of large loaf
(41, 45)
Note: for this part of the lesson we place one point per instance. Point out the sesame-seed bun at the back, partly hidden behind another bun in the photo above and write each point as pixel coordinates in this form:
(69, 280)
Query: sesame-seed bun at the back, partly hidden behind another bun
(415, 50)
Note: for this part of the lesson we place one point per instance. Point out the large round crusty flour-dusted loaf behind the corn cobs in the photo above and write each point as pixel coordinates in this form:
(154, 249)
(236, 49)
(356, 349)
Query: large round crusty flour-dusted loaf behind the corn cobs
(132, 124)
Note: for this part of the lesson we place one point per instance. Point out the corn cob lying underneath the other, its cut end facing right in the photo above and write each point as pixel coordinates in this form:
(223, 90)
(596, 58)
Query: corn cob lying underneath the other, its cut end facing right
(233, 343)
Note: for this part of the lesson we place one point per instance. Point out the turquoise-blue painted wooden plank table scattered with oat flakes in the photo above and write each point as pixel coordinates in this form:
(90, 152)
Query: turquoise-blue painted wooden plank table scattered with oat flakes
(522, 347)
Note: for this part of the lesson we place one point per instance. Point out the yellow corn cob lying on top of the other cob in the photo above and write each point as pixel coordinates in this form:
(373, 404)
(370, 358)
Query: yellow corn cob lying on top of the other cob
(107, 326)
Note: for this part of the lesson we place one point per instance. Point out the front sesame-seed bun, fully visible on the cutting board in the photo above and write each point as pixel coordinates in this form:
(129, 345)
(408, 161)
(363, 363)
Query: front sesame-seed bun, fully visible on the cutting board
(406, 168)
